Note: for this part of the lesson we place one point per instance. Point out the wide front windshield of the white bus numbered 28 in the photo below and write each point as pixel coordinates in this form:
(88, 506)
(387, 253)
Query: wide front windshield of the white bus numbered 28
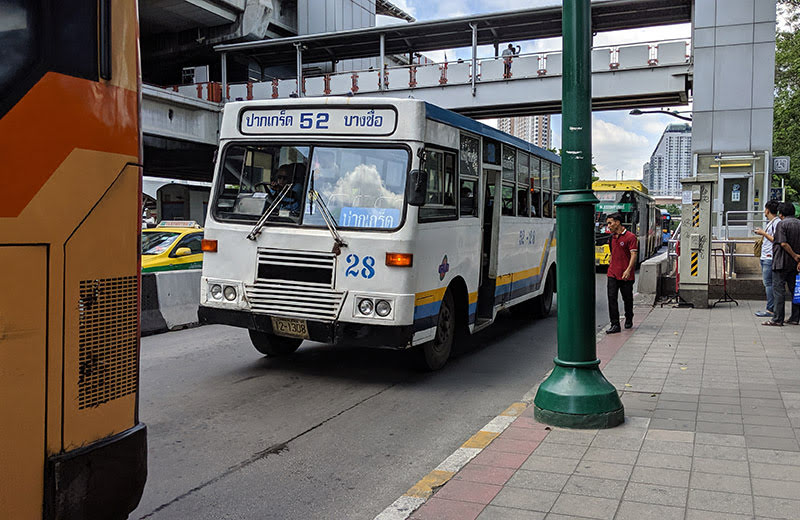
(362, 187)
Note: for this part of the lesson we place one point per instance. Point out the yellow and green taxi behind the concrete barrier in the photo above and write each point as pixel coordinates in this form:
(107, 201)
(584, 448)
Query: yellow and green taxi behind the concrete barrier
(173, 244)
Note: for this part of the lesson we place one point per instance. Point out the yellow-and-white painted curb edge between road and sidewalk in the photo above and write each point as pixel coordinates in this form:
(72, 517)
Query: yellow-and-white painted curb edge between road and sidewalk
(424, 489)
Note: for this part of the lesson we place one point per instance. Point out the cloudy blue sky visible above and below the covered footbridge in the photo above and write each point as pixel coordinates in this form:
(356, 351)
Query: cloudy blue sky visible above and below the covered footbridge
(621, 143)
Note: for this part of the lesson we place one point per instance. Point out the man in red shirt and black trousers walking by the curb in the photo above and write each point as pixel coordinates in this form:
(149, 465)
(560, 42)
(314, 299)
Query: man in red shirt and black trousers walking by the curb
(624, 249)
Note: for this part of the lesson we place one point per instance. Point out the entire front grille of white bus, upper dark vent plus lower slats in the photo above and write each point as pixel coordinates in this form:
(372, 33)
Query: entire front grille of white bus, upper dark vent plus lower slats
(295, 284)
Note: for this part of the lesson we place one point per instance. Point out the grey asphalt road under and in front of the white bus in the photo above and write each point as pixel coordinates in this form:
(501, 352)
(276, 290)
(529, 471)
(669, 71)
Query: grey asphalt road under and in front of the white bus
(331, 432)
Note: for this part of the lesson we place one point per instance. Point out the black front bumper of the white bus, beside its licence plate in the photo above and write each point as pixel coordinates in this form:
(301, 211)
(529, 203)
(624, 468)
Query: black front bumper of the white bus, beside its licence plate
(355, 334)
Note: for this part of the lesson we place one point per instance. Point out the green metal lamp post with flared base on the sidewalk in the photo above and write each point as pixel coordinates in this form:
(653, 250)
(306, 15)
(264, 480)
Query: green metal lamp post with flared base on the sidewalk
(577, 395)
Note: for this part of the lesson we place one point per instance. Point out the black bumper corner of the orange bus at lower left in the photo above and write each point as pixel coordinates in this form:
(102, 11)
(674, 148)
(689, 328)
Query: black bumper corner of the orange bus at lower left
(101, 480)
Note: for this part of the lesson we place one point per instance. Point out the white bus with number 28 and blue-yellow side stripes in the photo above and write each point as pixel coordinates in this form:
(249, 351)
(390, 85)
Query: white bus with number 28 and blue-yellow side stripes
(377, 222)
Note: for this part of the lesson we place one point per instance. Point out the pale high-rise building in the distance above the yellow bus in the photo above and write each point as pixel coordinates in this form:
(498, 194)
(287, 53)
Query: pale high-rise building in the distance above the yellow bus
(671, 160)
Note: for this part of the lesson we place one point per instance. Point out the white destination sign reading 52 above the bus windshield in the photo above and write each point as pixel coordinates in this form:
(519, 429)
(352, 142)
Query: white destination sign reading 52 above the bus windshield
(324, 120)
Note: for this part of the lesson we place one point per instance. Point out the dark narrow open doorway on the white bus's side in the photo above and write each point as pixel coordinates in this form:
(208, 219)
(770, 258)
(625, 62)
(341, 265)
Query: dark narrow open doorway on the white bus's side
(490, 241)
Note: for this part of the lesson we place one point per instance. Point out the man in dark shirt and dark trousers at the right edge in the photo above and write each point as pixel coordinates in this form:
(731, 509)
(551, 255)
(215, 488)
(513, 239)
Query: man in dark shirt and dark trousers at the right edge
(785, 264)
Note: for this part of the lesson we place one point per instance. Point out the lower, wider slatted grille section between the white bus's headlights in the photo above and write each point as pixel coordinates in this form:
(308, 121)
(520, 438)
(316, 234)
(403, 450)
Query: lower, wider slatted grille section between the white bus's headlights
(292, 300)
